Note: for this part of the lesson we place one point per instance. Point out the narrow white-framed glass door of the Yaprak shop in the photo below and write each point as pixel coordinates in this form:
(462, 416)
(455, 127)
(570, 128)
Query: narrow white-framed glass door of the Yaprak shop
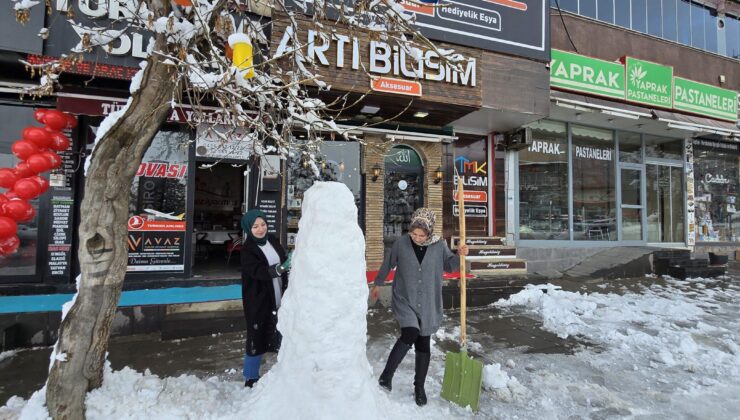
(631, 206)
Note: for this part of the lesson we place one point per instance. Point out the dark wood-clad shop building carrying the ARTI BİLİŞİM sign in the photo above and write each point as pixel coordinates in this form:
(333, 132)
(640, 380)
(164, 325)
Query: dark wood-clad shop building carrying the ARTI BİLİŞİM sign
(412, 132)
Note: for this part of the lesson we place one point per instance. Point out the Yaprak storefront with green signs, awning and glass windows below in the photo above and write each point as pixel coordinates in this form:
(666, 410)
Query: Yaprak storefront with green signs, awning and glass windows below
(612, 166)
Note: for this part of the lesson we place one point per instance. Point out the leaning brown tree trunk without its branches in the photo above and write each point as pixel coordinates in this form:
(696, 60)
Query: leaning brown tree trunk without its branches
(103, 254)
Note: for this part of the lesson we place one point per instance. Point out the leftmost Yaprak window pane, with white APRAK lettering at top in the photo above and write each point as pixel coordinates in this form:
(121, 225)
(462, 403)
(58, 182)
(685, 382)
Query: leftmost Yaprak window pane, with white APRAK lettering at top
(543, 184)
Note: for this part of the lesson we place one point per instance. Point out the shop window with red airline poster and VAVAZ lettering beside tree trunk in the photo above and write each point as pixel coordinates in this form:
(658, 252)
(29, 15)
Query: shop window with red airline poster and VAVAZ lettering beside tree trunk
(158, 204)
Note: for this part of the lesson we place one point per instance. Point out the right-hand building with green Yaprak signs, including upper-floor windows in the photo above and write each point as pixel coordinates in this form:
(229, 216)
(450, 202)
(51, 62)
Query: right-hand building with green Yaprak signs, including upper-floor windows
(643, 113)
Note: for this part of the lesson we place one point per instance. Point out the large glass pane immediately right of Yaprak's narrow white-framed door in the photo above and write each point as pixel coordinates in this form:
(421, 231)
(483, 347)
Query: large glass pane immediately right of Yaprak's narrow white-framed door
(665, 203)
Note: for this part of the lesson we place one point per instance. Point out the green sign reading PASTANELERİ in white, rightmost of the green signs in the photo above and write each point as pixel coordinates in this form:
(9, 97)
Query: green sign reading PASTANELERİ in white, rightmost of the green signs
(704, 99)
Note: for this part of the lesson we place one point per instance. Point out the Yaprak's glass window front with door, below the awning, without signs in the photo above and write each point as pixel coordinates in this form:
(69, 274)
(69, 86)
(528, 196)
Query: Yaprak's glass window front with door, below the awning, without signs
(582, 183)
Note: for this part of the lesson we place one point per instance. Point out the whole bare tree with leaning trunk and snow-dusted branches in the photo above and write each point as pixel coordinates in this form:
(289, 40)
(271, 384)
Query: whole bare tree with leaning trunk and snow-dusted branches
(188, 63)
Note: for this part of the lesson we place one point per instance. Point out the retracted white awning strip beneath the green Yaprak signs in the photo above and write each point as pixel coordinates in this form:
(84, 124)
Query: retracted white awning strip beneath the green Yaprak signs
(674, 120)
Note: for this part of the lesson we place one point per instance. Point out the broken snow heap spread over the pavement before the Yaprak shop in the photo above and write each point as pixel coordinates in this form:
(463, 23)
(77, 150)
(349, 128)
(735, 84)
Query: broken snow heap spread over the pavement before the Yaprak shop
(658, 324)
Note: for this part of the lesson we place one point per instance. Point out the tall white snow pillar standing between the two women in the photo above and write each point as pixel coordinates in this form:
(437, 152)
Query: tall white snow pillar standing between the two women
(322, 370)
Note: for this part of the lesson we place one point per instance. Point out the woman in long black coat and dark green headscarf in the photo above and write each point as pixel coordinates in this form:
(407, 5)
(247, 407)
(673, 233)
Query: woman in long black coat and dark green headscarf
(264, 280)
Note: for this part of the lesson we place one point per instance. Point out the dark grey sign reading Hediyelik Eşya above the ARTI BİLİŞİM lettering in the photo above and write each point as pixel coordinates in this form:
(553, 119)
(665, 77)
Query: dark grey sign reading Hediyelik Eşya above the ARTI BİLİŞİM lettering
(510, 26)
